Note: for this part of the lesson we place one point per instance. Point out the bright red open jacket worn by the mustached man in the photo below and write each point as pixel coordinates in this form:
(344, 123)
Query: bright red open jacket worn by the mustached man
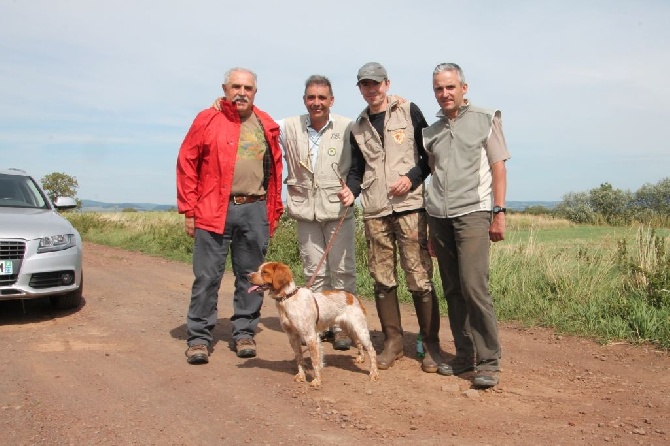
(206, 163)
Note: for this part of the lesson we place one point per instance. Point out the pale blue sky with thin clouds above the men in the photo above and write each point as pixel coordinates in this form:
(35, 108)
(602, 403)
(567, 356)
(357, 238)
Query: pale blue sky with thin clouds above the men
(105, 91)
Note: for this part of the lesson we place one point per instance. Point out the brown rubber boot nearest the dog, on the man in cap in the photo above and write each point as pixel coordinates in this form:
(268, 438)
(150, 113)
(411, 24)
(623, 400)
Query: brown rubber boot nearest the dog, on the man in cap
(388, 310)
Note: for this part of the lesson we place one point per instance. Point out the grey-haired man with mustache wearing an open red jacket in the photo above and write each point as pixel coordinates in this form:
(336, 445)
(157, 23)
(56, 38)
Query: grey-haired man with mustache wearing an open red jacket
(229, 190)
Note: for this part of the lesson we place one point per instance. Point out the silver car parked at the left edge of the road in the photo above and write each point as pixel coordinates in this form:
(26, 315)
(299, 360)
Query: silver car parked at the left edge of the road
(40, 251)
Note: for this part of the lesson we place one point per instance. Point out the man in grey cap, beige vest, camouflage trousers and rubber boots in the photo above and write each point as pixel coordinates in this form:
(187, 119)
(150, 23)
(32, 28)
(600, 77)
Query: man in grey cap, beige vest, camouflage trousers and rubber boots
(389, 165)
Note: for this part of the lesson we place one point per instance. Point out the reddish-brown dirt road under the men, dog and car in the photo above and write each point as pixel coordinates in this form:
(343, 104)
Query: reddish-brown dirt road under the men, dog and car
(114, 372)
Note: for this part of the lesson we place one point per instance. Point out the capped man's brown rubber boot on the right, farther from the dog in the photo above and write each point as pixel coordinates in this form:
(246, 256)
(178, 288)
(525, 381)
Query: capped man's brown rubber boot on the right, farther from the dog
(428, 314)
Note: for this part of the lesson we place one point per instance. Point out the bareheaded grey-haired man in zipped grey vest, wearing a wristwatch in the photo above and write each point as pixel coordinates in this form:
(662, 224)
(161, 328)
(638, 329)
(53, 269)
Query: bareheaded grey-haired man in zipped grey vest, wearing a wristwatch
(467, 148)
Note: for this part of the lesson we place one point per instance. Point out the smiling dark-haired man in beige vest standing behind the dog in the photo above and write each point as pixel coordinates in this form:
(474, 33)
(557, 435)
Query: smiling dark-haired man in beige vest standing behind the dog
(317, 152)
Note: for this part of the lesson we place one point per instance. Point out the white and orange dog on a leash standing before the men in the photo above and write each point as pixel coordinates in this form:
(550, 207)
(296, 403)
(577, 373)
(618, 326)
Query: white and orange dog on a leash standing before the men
(304, 314)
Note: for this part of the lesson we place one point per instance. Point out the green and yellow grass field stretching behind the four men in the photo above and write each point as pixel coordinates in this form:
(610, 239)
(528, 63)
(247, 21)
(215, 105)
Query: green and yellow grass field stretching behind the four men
(603, 282)
